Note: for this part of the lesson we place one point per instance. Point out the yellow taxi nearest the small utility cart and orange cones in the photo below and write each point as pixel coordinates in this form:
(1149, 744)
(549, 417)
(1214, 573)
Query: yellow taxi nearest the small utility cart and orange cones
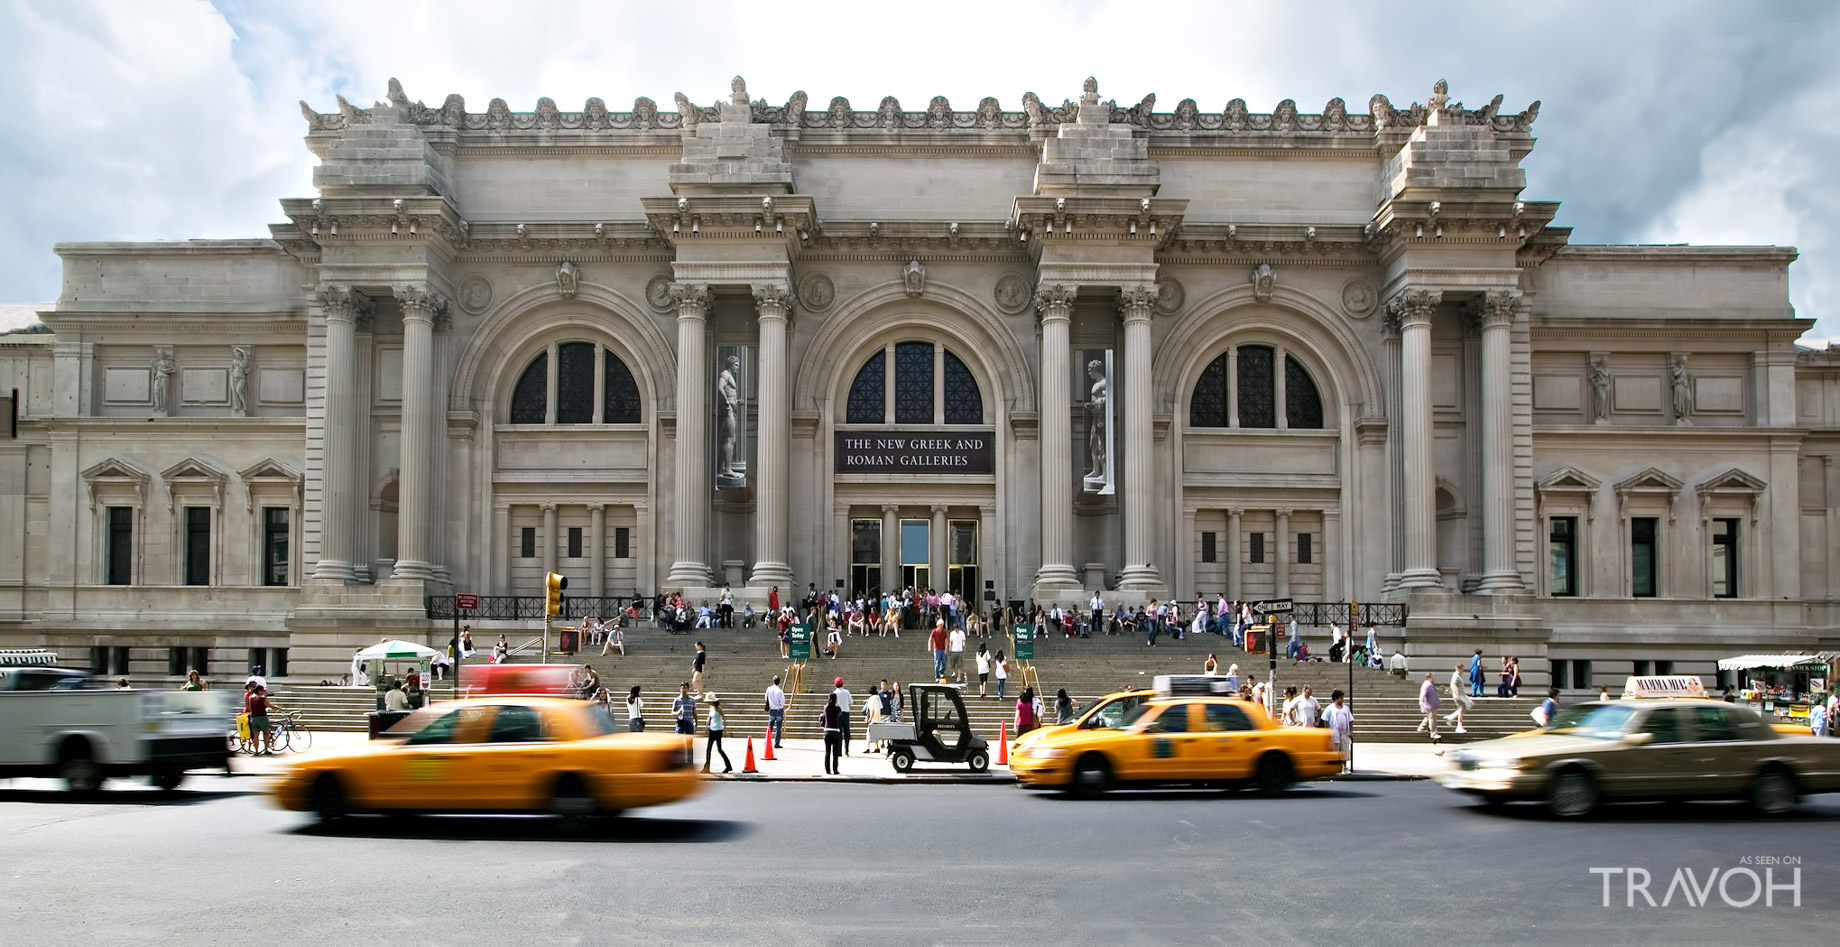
(1179, 740)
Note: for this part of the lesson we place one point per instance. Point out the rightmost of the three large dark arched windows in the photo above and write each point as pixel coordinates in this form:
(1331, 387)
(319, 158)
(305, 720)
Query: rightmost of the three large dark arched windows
(1239, 389)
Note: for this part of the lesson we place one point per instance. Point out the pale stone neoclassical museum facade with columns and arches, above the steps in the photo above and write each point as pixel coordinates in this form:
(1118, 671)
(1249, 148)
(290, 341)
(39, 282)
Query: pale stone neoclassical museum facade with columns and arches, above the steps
(1015, 354)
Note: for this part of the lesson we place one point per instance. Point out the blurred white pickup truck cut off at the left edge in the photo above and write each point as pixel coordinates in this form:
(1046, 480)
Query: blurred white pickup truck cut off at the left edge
(62, 724)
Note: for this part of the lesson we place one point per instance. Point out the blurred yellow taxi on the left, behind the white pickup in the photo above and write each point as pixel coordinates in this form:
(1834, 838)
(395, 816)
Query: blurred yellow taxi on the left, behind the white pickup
(496, 755)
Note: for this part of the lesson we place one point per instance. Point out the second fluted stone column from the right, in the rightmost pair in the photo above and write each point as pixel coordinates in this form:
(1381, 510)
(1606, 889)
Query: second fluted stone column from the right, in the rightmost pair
(1414, 310)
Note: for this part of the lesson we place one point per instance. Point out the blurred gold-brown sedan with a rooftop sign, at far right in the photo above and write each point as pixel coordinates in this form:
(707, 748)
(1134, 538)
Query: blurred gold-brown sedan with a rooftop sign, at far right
(1650, 749)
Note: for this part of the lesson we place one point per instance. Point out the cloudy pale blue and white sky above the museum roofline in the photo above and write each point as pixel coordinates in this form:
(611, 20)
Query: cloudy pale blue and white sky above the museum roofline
(1673, 122)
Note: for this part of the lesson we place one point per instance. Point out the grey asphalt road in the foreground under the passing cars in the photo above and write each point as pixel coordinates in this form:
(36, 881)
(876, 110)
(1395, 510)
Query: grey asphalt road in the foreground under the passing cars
(963, 865)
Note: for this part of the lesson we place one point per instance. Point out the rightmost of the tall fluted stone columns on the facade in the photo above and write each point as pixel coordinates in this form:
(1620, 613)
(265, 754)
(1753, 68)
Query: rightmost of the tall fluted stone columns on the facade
(1497, 317)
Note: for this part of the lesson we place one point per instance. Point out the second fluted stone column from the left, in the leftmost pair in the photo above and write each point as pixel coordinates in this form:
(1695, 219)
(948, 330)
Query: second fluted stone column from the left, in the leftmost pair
(417, 444)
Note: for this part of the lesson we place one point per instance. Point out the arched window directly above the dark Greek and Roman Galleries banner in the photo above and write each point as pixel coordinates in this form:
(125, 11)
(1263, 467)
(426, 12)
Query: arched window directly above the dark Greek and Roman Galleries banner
(917, 365)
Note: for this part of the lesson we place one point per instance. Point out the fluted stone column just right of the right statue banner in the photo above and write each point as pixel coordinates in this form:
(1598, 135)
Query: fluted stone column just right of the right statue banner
(1140, 475)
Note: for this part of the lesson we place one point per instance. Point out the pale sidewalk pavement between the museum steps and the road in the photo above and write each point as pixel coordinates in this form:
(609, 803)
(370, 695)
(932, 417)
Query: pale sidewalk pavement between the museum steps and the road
(803, 760)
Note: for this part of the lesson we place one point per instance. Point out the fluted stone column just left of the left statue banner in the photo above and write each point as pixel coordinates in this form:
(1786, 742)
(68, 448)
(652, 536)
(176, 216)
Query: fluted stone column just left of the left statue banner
(693, 439)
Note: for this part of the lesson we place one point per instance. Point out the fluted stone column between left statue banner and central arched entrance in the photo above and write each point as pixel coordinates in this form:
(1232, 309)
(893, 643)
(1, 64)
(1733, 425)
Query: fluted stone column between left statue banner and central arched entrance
(772, 483)
